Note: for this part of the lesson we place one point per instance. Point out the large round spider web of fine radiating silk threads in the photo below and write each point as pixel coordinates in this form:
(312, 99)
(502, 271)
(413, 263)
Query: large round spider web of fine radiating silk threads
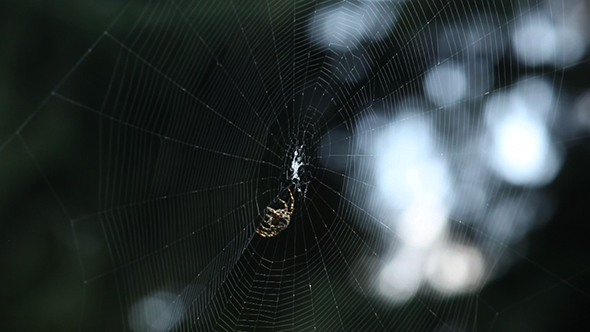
(380, 116)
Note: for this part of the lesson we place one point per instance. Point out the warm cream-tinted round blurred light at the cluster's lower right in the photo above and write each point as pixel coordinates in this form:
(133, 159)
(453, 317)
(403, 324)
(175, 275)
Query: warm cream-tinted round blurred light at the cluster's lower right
(453, 268)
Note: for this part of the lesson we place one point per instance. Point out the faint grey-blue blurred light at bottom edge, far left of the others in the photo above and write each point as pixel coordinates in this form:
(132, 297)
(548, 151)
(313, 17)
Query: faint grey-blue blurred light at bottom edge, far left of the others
(156, 312)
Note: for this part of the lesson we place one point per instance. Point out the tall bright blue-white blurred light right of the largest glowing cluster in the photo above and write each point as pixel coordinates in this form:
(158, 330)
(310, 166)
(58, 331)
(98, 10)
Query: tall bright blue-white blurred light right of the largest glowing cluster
(522, 151)
